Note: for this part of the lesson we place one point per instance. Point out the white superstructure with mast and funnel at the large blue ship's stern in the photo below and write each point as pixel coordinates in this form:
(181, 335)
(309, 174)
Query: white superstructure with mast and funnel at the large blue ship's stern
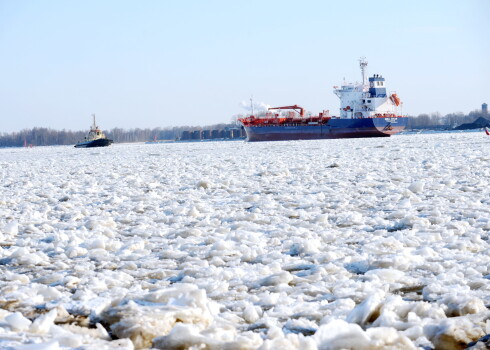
(367, 100)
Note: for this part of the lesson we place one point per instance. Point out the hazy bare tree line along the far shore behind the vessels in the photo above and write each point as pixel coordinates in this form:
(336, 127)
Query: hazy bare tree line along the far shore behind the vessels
(46, 137)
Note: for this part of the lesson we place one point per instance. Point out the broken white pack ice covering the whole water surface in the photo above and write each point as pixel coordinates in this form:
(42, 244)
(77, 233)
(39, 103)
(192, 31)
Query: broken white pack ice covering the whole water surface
(376, 243)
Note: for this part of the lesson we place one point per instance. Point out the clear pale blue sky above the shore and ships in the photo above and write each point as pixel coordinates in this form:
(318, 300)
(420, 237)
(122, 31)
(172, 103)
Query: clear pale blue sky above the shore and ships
(172, 63)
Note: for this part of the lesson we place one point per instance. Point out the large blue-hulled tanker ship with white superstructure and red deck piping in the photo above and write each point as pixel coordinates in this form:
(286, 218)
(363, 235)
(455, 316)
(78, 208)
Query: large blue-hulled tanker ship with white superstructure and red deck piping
(366, 110)
